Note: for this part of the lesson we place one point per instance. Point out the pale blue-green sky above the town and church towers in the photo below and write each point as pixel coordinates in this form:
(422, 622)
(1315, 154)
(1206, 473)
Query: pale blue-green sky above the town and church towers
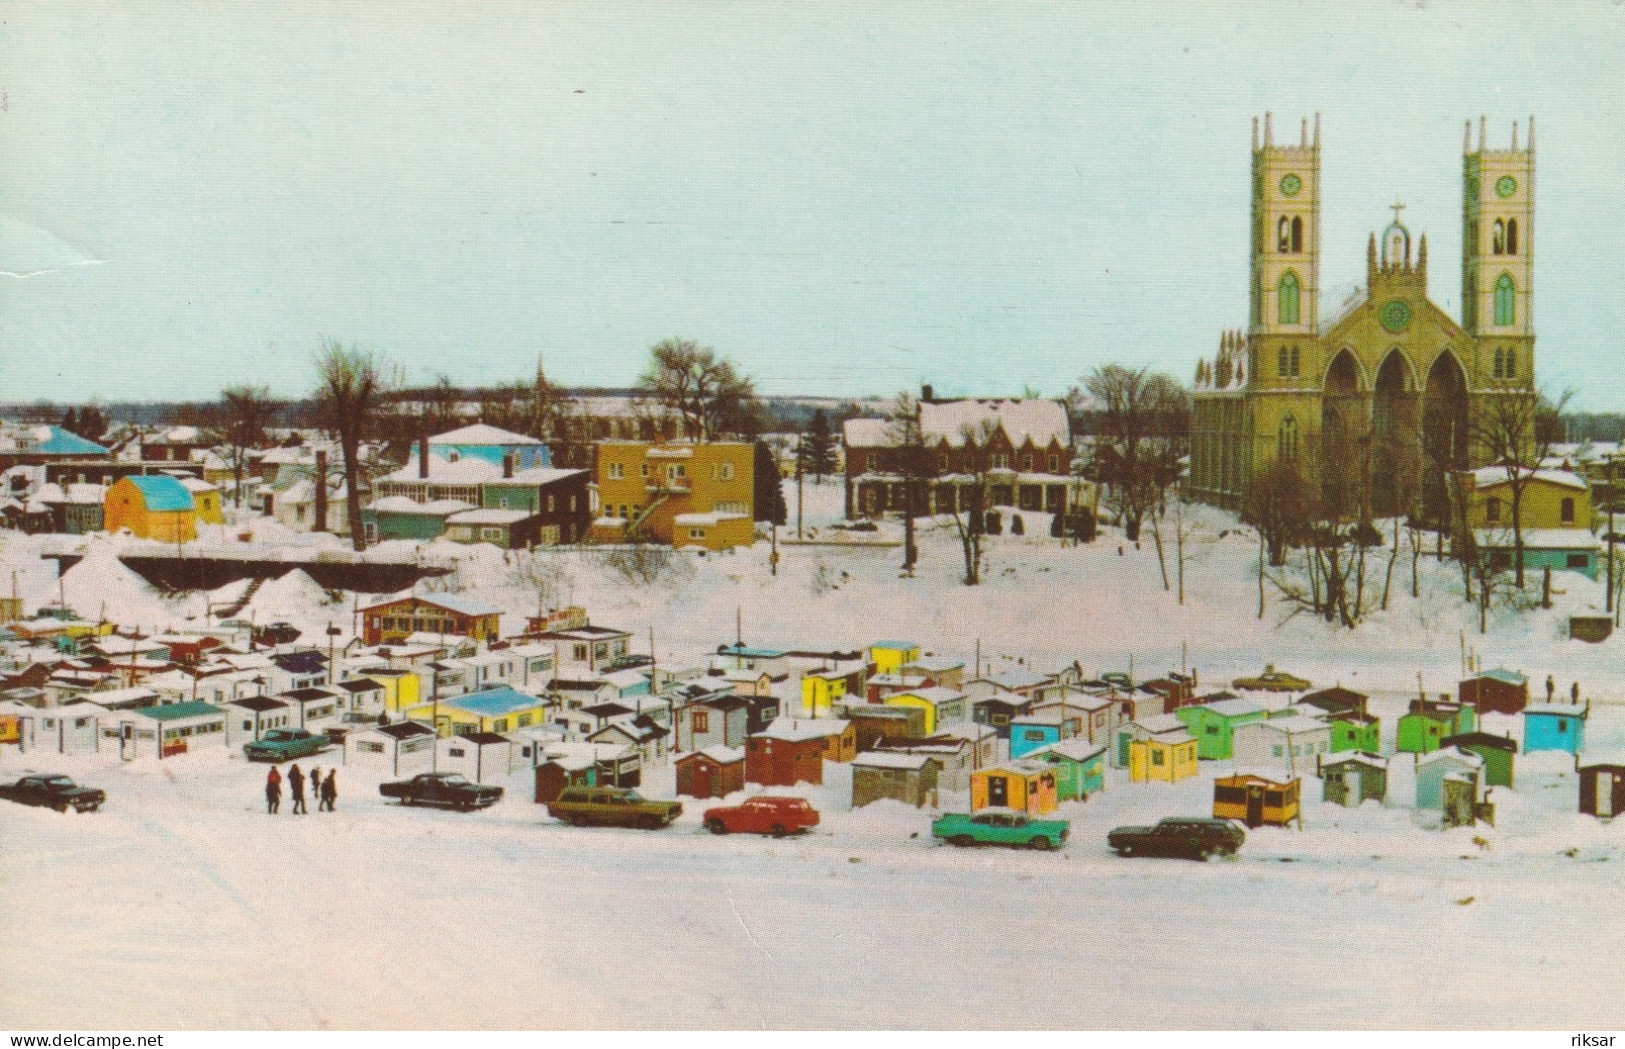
(844, 199)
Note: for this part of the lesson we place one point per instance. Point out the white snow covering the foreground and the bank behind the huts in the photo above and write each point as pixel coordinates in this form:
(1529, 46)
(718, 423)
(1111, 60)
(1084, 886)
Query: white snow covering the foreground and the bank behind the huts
(183, 905)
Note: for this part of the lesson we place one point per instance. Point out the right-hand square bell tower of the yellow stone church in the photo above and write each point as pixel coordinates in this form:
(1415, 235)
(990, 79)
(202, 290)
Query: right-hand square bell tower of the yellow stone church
(1497, 256)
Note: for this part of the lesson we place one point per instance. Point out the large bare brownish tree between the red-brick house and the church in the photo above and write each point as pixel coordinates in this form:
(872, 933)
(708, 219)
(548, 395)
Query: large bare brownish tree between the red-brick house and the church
(1143, 421)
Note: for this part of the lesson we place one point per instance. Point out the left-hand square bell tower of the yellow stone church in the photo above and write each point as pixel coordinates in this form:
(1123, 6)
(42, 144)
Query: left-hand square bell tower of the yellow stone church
(1285, 301)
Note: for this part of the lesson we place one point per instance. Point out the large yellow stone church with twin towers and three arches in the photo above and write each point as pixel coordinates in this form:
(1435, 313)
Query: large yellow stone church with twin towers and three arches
(1389, 387)
